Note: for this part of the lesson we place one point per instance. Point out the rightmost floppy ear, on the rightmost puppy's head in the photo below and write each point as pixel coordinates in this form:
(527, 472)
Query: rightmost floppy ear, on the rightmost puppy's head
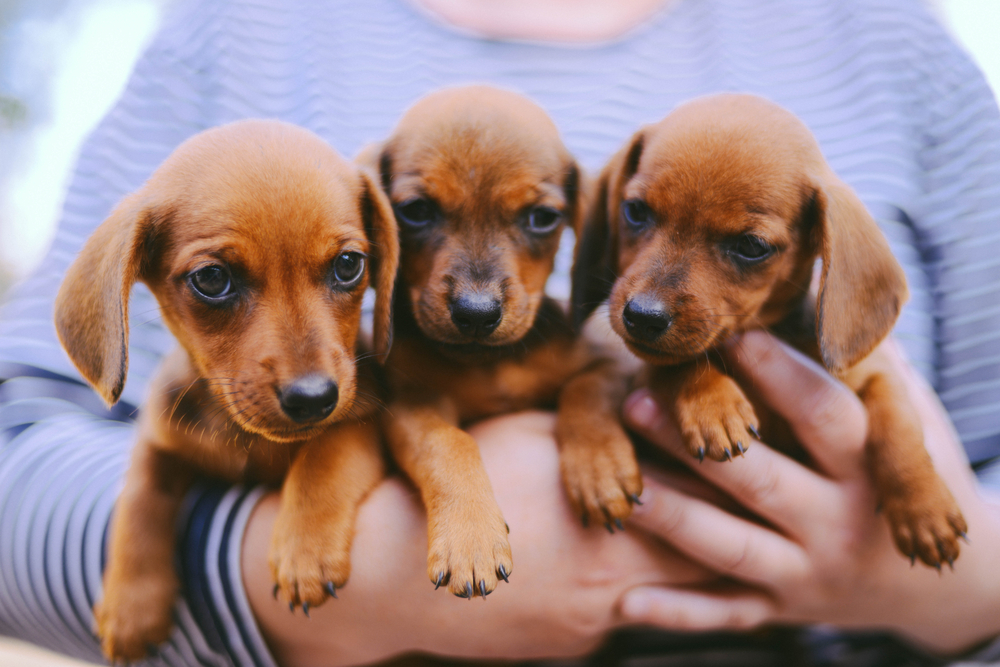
(862, 287)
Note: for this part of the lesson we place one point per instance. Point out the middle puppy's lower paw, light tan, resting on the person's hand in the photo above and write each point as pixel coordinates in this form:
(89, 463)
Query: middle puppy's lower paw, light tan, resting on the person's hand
(468, 549)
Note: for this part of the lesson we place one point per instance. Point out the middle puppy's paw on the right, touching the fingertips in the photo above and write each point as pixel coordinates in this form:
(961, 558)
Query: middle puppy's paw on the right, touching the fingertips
(601, 478)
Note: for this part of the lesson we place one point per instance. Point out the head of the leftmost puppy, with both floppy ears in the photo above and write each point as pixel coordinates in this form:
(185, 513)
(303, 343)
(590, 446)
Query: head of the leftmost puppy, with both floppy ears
(258, 241)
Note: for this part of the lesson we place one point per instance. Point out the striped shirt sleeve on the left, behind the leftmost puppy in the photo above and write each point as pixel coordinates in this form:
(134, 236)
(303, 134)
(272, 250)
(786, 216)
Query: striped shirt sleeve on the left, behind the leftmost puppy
(62, 452)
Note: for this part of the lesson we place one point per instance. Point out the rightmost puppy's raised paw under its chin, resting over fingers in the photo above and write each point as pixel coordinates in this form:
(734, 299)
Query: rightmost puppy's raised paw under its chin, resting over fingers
(716, 423)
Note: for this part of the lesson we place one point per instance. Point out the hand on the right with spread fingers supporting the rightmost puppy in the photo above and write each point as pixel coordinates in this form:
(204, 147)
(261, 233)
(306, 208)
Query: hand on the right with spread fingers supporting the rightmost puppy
(821, 553)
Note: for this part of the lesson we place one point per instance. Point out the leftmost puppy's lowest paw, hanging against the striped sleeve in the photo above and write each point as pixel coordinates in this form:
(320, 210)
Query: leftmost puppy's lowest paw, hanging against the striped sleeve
(135, 616)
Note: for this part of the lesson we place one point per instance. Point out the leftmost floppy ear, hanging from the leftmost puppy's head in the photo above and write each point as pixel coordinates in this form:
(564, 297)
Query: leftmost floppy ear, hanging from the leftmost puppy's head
(91, 309)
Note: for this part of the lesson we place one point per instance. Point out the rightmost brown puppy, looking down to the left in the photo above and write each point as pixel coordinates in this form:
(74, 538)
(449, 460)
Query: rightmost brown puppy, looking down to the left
(709, 223)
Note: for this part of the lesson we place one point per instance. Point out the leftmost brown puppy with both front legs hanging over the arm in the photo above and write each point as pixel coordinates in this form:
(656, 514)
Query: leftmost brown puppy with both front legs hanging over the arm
(258, 241)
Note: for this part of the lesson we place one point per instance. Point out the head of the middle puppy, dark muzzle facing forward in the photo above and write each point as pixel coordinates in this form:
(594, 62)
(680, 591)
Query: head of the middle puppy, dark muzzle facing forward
(482, 188)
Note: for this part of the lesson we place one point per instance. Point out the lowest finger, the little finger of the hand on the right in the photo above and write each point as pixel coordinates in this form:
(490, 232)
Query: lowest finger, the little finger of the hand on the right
(679, 609)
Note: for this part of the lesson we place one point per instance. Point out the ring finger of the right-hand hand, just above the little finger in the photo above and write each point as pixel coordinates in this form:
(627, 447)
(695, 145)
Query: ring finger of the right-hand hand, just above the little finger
(727, 544)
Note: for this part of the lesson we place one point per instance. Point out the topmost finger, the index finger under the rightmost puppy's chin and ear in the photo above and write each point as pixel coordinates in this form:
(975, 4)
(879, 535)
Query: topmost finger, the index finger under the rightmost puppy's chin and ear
(826, 417)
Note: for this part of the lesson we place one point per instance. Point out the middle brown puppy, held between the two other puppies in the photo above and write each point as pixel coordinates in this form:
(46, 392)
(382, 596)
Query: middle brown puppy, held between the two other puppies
(482, 187)
